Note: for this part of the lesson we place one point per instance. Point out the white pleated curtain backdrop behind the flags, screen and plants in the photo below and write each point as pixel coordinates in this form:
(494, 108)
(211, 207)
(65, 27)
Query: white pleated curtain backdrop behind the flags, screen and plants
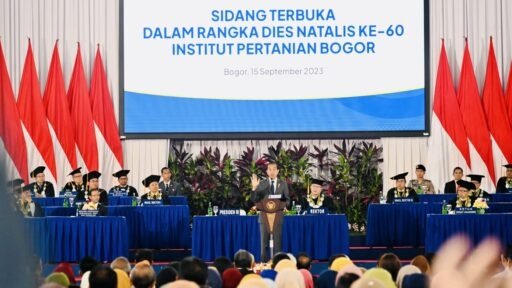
(93, 22)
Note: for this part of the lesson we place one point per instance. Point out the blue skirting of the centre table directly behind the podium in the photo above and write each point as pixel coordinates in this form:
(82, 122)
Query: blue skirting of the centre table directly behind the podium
(319, 235)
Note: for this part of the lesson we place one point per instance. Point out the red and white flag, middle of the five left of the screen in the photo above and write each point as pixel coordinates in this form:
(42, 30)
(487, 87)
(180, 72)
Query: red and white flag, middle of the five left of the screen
(61, 126)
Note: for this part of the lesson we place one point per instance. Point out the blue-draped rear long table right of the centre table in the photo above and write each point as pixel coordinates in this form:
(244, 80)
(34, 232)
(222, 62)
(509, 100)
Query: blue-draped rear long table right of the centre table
(405, 224)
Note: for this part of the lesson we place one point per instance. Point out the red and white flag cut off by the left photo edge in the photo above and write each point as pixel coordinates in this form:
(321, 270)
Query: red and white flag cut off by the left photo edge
(11, 132)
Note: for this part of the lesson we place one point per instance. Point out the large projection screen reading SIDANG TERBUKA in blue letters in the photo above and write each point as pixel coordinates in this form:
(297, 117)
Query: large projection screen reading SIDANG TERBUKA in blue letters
(217, 68)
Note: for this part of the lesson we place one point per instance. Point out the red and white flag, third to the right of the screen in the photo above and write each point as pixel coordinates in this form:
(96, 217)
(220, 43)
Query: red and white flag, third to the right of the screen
(496, 112)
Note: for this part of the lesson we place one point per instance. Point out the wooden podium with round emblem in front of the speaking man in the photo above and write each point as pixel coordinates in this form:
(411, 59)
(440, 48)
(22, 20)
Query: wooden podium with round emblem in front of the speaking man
(272, 213)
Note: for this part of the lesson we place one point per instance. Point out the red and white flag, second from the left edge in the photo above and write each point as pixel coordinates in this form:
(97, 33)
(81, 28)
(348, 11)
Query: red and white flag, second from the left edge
(33, 115)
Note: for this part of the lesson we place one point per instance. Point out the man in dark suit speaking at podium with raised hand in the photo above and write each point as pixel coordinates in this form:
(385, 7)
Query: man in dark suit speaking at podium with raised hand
(270, 187)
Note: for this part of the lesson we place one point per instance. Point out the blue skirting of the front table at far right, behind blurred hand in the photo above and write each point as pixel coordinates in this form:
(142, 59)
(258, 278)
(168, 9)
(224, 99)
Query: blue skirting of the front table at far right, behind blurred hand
(476, 227)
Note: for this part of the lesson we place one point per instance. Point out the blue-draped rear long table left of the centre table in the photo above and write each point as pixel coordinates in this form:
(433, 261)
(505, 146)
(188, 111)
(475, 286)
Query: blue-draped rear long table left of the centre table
(155, 227)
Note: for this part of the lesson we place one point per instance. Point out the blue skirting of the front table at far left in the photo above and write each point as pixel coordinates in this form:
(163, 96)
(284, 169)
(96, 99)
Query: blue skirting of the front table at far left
(69, 239)
